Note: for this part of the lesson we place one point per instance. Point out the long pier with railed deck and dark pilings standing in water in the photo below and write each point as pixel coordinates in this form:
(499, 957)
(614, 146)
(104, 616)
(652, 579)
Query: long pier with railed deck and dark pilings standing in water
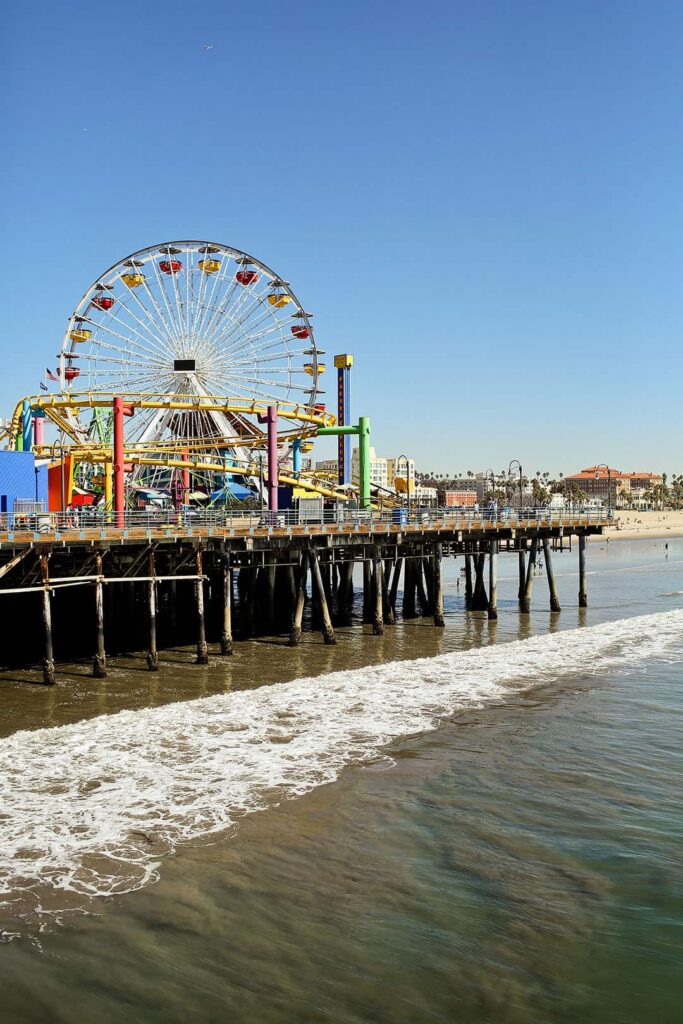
(120, 584)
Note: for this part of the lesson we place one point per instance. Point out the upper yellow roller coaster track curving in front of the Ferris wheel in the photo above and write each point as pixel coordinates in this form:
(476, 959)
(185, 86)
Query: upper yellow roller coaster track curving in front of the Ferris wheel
(308, 418)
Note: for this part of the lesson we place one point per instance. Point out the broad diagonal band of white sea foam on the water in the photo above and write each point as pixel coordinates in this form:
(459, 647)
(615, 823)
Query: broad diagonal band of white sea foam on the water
(91, 809)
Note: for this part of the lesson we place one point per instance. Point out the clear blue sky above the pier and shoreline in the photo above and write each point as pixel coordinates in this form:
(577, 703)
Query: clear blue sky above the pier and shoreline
(482, 201)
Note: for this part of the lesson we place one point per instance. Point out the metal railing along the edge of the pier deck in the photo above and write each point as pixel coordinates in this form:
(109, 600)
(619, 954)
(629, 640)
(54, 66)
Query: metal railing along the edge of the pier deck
(89, 522)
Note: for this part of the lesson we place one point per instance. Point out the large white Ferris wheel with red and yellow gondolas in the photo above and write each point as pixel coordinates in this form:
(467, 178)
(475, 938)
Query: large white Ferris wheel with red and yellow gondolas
(187, 319)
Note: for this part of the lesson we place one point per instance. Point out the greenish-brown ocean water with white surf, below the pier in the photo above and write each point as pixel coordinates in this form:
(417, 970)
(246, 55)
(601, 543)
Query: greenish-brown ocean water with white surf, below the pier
(478, 824)
